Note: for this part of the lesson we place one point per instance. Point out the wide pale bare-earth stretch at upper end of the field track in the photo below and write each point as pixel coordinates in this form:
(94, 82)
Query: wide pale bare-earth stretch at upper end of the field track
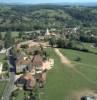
(64, 59)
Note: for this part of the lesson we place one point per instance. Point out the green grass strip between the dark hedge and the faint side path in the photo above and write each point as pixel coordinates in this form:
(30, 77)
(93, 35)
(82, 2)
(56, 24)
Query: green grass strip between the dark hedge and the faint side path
(86, 58)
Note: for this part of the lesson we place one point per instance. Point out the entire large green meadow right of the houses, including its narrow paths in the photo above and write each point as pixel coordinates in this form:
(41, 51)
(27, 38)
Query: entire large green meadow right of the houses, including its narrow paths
(65, 83)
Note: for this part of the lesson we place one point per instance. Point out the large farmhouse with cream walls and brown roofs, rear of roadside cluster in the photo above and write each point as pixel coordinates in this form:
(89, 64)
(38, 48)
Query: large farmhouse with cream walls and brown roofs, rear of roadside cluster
(26, 64)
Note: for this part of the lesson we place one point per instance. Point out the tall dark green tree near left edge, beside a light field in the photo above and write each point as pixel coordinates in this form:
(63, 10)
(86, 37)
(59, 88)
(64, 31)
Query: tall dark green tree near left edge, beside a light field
(8, 40)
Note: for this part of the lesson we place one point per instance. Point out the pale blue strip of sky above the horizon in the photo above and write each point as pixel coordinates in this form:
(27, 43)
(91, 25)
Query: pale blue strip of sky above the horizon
(45, 1)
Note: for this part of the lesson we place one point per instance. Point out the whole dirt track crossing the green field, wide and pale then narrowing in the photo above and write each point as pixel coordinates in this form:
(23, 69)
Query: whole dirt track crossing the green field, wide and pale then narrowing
(68, 63)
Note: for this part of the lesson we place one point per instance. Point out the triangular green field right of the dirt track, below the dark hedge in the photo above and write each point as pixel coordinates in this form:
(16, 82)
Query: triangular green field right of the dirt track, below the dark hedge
(87, 65)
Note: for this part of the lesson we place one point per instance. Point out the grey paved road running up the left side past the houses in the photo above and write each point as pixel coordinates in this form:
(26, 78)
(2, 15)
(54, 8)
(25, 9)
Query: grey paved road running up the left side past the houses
(10, 85)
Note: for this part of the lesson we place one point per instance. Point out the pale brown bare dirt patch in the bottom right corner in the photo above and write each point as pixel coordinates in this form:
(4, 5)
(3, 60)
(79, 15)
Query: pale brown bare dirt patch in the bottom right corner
(85, 92)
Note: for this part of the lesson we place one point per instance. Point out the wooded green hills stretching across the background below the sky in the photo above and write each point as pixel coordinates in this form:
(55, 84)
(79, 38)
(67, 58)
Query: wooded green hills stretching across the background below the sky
(29, 17)
